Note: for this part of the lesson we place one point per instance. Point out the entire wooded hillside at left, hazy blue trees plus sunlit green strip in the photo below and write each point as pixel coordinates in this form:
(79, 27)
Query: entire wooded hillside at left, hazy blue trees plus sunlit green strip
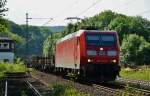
(36, 37)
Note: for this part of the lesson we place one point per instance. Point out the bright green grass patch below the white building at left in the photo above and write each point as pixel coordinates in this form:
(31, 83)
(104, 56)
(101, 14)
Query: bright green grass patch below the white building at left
(7, 67)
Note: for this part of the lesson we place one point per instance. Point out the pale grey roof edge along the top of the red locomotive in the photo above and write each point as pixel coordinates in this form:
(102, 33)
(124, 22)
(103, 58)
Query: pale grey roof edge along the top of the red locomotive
(78, 33)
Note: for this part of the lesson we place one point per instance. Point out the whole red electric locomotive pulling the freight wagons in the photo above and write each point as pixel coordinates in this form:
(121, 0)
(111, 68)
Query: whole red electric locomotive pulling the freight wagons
(93, 54)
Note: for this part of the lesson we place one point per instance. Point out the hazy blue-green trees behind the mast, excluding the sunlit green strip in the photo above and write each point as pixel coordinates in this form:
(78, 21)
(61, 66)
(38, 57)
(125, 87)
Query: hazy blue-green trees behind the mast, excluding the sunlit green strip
(36, 37)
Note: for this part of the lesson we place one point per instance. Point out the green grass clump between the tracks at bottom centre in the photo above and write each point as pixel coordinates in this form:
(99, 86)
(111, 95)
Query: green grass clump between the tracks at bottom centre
(66, 90)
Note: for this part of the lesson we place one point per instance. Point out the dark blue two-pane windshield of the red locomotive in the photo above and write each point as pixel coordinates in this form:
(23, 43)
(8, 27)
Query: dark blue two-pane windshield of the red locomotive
(100, 39)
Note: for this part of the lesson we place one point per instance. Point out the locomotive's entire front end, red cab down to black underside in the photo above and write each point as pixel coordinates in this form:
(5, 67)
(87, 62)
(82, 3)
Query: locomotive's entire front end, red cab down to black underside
(101, 55)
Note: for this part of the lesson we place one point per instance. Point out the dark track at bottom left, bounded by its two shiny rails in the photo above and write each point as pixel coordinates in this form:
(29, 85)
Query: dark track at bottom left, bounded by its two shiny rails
(16, 82)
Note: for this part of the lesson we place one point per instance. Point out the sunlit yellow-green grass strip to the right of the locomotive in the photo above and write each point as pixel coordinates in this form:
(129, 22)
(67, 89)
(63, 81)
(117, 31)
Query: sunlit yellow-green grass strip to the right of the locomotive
(142, 74)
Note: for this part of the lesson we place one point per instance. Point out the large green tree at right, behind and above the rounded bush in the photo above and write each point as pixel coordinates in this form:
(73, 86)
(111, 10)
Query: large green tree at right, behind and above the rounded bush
(129, 25)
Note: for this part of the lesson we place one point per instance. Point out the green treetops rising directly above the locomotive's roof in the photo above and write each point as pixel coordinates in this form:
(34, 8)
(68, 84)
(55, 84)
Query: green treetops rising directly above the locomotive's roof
(100, 21)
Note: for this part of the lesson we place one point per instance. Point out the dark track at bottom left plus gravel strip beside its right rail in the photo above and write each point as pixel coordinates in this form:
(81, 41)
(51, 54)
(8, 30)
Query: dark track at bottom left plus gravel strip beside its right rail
(17, 84)
